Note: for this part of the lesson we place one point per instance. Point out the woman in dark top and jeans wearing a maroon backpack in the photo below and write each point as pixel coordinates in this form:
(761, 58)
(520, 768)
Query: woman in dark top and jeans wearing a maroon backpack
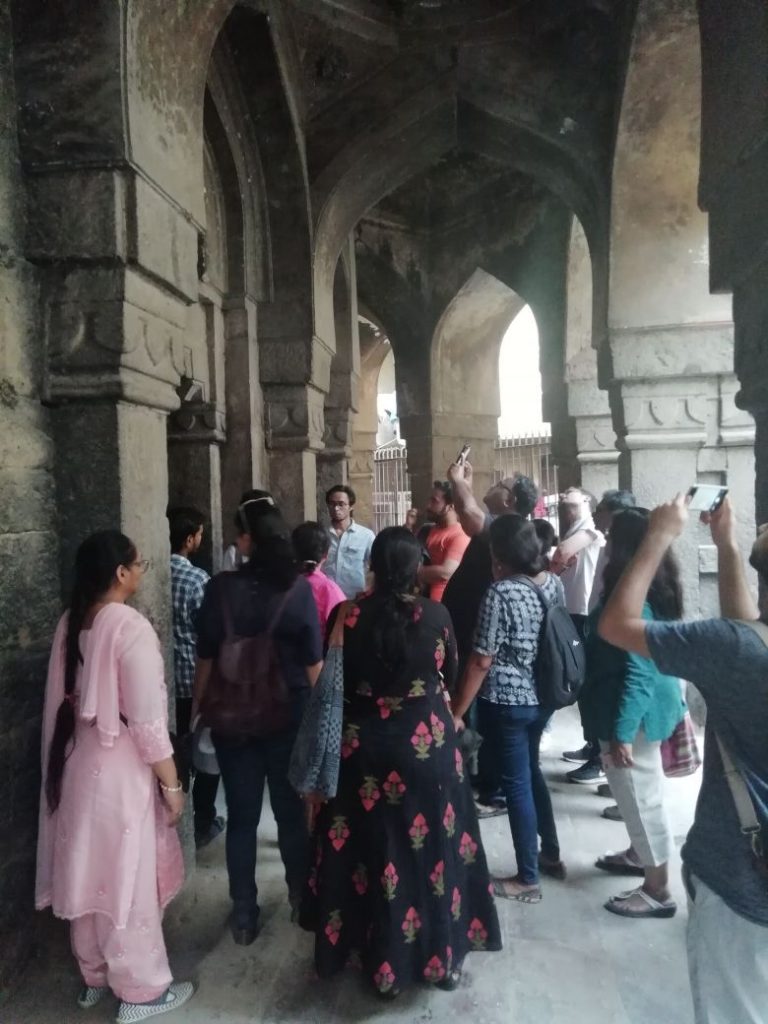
(260, 651)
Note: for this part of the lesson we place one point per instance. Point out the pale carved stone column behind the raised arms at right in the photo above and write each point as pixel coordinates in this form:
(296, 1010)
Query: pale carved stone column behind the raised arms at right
(680, 426)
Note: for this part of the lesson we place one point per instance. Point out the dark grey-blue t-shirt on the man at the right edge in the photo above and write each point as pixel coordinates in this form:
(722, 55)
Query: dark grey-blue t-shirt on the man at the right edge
(729, 663)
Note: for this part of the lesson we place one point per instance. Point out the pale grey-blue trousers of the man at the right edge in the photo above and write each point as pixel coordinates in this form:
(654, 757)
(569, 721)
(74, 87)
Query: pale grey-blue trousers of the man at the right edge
(728, 962)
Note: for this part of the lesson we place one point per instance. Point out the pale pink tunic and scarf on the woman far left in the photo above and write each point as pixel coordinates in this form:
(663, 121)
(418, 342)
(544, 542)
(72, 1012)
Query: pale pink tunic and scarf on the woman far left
(110, 835)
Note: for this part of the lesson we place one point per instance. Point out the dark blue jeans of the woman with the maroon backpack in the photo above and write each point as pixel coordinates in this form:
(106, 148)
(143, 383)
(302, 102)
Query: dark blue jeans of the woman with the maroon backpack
(246, 765)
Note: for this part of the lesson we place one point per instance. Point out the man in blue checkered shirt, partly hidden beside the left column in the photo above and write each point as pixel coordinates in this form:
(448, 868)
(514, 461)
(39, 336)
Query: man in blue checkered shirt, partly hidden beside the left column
(188, 587)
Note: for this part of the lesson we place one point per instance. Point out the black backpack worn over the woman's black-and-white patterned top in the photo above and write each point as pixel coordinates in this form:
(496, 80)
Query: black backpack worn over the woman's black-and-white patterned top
(561, 663)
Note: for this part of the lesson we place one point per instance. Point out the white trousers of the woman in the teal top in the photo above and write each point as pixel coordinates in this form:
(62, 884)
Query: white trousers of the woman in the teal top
(639, 793)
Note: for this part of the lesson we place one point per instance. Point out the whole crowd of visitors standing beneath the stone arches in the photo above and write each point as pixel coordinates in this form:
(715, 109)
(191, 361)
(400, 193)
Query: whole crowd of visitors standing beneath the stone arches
(442, 625)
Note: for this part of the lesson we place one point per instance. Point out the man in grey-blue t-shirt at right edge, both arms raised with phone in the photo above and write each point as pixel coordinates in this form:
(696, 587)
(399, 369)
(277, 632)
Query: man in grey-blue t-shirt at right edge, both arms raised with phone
(724, 868)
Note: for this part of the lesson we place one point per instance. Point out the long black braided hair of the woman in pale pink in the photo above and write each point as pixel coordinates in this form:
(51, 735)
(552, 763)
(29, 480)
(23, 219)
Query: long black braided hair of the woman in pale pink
(97, 562)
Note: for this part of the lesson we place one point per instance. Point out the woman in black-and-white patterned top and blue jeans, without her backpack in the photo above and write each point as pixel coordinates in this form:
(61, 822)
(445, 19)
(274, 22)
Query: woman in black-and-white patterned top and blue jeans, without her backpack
(501, 670)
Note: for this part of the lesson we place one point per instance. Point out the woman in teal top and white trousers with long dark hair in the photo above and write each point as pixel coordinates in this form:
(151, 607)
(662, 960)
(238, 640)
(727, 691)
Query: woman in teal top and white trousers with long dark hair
(632, 707)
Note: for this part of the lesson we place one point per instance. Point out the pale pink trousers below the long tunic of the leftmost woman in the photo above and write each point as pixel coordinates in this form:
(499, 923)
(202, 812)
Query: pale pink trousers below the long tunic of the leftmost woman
(133, 961)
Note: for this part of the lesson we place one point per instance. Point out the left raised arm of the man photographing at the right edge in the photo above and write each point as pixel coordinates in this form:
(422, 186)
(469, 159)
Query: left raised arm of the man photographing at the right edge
(622, 623)
